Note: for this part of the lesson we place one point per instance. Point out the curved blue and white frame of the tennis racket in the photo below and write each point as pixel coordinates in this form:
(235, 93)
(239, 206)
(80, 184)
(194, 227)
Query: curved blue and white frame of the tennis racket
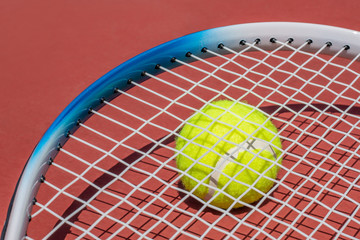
(19, 212)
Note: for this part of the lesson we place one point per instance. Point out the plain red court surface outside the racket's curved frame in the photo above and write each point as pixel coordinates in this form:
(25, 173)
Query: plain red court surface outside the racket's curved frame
(52, 50)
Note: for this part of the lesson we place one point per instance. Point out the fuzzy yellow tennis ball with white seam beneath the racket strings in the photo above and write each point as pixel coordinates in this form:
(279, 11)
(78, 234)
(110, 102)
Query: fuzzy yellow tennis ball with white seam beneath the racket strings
(225, 152)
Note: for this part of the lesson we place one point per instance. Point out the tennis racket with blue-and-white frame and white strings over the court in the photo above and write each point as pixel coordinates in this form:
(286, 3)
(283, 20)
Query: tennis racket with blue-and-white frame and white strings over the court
(105, 169)
